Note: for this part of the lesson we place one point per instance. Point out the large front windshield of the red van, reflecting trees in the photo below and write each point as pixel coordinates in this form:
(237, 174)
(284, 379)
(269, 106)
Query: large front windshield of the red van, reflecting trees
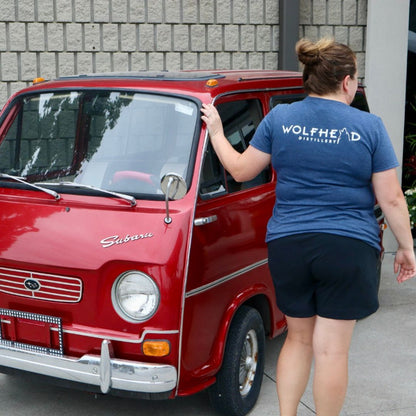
(118, 141)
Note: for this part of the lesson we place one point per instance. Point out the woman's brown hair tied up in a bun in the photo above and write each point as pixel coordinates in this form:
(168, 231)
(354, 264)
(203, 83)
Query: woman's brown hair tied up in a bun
(326, 64)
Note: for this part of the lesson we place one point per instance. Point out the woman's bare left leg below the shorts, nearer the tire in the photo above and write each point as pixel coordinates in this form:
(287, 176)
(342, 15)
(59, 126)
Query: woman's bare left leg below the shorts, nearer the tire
(294, 364)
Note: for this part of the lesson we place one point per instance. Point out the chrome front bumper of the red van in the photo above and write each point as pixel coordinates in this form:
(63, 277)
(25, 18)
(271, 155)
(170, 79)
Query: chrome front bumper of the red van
(98, 370)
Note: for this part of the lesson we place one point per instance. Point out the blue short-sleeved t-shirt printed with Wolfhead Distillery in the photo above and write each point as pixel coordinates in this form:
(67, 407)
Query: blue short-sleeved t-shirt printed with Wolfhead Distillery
(324, 153)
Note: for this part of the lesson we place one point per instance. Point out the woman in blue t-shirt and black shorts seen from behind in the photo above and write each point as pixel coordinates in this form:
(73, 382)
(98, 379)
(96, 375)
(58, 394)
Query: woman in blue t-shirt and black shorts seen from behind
(331, 161)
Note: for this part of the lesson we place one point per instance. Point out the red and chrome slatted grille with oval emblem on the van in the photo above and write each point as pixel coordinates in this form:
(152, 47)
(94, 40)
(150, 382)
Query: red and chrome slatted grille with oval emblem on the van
(40, 286)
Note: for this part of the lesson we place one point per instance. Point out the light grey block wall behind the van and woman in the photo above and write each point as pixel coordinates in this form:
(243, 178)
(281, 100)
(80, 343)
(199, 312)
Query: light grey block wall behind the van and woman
(52, 38)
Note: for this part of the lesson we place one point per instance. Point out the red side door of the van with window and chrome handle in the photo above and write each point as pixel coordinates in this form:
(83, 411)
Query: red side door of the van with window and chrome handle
(228, 257)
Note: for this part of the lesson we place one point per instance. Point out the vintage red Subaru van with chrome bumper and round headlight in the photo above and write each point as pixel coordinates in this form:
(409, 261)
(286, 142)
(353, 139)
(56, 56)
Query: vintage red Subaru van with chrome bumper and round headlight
(130, 261)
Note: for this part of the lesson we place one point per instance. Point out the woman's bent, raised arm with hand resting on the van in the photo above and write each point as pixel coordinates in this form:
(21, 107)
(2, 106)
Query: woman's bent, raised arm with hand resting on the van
(242, 166)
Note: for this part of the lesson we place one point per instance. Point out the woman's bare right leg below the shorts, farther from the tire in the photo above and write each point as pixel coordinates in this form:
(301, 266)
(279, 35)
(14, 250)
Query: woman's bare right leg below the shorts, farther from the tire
(331, 343)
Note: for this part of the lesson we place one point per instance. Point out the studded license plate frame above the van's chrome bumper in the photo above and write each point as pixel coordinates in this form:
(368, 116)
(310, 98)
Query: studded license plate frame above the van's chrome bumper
(51, 322)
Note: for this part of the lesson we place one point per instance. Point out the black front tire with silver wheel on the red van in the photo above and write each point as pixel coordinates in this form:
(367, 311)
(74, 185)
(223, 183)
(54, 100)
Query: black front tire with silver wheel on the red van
(239, 380)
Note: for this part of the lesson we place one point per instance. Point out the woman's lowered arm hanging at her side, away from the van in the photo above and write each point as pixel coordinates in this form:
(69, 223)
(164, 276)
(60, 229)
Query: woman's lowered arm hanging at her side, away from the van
(390, 197)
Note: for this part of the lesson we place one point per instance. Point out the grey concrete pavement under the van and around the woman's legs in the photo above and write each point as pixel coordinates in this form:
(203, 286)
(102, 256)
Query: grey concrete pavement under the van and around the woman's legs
(382, 373)
